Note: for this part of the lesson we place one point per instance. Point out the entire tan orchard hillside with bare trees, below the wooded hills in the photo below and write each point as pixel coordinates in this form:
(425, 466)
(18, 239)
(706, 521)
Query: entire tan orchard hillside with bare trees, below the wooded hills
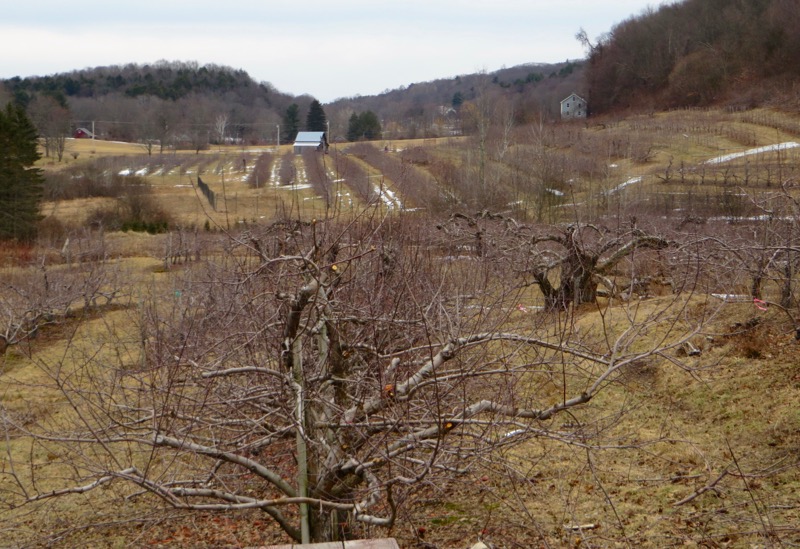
(422, 246)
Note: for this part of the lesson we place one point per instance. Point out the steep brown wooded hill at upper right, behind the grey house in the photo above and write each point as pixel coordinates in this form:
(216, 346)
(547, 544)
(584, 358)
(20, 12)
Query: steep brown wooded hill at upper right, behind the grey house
(697, 53)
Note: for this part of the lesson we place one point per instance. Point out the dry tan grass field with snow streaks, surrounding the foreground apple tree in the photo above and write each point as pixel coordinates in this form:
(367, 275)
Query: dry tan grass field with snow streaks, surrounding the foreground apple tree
(705, 453)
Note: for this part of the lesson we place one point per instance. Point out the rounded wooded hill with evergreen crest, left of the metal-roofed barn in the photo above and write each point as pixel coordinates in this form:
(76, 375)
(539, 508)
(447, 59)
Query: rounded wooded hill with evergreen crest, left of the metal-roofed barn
(164, 102)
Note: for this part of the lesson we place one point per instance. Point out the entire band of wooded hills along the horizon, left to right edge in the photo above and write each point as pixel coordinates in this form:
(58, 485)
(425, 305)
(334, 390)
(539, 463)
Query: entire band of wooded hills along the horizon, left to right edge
(691, 53)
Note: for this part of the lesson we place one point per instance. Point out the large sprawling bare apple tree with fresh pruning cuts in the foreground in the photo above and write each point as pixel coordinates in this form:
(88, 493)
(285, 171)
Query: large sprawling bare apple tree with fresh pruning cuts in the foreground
(319, 373)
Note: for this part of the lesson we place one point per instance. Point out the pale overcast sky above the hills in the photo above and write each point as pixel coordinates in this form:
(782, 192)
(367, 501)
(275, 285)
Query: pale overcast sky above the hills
(328, 49)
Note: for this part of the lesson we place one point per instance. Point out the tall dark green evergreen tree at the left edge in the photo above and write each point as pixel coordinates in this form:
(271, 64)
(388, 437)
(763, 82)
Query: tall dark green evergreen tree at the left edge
(20, 182)
